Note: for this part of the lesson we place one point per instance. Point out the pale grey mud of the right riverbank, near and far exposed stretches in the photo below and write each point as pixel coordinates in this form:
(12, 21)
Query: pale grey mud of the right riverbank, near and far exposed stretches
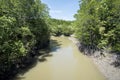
(103, 63)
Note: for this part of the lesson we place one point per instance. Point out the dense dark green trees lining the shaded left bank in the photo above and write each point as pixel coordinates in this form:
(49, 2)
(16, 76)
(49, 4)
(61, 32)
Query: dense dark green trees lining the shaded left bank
(23, 31)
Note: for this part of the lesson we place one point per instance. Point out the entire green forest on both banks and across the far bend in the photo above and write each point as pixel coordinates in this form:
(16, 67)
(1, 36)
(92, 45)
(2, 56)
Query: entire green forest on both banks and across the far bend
(26, 27)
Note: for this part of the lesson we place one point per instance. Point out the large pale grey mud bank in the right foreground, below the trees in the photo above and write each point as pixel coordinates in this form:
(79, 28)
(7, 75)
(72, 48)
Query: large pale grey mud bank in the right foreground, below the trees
(104, 64)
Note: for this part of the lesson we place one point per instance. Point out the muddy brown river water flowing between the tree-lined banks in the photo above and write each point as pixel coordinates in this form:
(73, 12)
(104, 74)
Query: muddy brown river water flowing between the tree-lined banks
(65, 63)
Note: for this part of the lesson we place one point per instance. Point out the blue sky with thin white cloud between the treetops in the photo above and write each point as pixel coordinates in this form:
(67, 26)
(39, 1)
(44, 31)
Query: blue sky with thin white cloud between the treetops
(62, 9)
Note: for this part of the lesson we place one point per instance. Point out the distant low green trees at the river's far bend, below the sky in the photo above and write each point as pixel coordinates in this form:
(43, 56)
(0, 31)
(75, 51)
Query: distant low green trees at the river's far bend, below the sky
(61, 27)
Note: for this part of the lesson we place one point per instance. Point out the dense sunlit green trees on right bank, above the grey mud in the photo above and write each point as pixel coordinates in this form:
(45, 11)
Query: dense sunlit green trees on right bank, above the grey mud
(98, 25)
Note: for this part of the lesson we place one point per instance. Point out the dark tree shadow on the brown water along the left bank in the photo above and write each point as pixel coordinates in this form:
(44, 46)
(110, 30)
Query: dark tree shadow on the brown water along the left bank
(40, 57)
